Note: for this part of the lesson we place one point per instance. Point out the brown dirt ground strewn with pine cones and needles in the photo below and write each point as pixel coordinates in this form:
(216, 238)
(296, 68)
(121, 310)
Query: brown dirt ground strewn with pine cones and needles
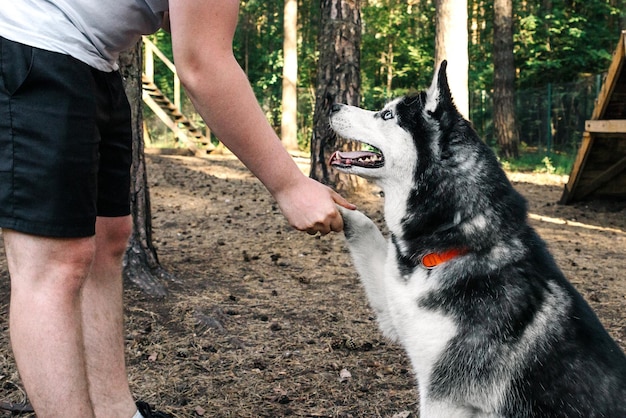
(264, 321)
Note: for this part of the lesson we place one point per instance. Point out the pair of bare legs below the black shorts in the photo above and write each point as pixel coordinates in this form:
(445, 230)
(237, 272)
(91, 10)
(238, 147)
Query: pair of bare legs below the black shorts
(66, 321)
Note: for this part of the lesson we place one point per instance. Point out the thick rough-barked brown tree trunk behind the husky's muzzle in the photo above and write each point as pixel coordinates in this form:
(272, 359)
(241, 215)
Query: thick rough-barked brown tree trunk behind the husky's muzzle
(338, 81)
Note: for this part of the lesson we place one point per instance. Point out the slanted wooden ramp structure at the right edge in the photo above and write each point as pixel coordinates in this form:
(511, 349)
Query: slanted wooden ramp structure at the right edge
(599, 171)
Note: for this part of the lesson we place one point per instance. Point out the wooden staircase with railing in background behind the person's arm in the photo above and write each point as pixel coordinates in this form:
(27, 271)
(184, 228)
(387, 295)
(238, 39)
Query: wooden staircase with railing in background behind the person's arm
(184, 130)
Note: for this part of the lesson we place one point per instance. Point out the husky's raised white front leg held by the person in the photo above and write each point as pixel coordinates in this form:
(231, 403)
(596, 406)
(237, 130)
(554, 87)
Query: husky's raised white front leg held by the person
(368, 249)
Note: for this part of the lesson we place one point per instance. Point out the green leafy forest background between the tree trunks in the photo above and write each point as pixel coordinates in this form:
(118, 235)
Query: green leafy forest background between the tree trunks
(561, 49)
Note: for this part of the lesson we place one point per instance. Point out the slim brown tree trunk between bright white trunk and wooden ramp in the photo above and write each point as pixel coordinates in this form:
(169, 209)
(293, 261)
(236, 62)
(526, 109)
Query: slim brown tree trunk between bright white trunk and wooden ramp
(504, 123)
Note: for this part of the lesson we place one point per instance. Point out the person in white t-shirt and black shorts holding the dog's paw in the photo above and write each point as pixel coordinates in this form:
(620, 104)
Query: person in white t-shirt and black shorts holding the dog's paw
(64, 179)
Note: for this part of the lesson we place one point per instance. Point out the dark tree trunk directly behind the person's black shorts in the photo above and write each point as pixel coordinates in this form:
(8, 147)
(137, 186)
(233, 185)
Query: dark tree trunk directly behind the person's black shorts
(141, 264)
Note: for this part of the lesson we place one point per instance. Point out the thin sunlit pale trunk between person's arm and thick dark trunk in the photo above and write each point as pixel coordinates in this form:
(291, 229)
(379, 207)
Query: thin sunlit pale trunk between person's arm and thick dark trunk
(289, 119)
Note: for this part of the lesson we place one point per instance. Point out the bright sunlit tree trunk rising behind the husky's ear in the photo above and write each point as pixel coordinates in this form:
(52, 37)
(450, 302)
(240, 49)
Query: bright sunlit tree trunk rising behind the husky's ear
(451, 44)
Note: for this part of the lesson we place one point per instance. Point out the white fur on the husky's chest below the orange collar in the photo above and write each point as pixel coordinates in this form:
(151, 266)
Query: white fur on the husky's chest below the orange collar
(424, 333)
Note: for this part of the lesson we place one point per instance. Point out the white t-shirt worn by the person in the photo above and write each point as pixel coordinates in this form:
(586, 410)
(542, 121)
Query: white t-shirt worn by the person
(92, 31)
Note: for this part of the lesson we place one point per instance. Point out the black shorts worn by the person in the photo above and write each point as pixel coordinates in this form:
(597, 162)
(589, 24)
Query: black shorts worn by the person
(65, 143)
